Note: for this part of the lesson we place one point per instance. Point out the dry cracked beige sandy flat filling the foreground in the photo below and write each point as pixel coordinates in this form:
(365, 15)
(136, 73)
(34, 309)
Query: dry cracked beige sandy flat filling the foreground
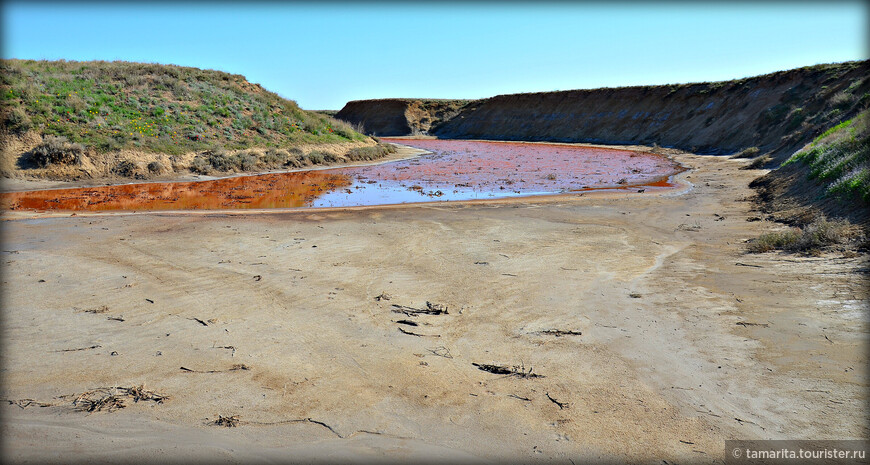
(686, 340)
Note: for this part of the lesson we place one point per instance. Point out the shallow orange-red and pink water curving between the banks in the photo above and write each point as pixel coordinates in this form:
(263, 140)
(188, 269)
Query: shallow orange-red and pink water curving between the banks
(455, 170)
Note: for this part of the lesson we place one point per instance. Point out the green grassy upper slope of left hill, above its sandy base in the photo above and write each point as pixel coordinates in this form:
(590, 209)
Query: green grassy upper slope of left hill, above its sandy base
(110, 106)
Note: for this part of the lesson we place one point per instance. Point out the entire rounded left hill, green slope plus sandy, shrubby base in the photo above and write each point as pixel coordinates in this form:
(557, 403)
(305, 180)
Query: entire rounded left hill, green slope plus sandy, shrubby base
(91, 119)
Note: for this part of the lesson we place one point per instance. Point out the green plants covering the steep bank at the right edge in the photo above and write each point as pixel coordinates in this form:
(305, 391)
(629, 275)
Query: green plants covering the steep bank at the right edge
(840, 157)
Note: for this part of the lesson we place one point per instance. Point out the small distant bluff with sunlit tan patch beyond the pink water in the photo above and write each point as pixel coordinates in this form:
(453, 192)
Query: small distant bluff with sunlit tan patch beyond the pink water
(399, 117)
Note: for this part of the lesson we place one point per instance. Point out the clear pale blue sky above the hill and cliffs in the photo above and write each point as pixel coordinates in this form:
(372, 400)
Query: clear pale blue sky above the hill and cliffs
(323, 55)
